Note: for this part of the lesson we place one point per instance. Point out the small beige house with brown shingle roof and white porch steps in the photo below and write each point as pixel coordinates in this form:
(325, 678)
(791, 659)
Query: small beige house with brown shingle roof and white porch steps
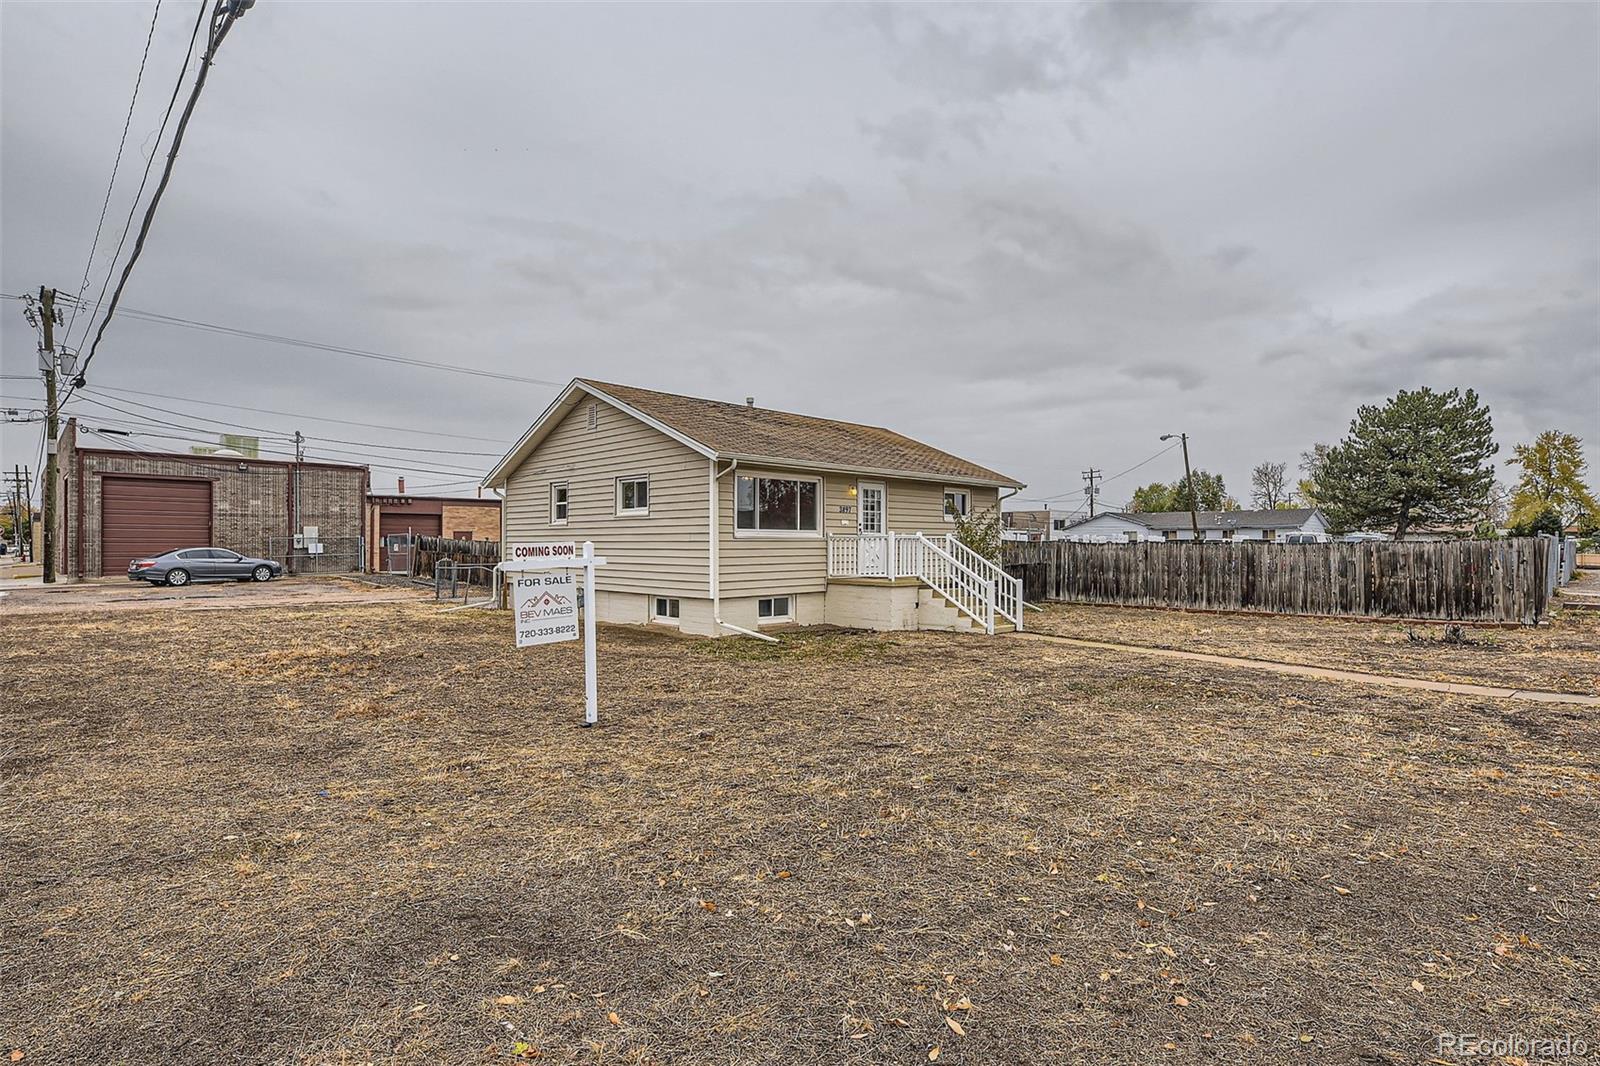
(729, 519)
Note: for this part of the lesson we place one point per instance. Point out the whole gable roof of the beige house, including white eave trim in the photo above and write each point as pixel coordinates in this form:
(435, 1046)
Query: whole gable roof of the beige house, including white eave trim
(758, 435)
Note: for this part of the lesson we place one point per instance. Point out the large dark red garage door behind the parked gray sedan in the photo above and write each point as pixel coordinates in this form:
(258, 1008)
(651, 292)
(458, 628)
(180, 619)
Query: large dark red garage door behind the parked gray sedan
(148, 516)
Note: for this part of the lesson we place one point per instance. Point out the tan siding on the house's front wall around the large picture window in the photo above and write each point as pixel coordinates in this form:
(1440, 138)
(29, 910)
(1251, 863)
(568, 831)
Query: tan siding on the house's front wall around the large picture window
(774, 566)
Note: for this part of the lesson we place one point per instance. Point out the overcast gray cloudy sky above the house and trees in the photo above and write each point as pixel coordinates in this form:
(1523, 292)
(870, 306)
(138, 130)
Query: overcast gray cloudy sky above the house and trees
(1034, 236)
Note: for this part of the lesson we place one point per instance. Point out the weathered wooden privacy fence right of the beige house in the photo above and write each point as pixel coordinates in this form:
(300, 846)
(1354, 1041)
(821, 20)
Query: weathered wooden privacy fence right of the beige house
(1494, 582)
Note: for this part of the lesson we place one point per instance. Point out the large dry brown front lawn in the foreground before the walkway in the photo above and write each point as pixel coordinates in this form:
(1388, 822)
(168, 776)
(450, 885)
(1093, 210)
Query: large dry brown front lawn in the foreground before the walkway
(378, 835)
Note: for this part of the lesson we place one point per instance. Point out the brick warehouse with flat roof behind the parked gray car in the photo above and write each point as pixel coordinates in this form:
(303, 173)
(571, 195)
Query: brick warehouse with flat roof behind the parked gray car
(124, 505)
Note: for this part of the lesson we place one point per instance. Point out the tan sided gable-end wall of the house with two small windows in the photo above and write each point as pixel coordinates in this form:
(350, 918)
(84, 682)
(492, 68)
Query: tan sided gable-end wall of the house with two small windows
(666, 553)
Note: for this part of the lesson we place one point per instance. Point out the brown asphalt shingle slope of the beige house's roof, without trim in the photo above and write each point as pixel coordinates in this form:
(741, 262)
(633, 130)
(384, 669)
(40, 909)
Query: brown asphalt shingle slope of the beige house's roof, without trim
(737, 430)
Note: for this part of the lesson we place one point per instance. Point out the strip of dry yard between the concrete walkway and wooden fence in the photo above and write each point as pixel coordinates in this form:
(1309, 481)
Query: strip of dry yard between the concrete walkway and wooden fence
(1558, 657)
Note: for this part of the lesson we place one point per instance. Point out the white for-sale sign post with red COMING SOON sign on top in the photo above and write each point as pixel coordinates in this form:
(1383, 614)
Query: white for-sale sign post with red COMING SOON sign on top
(545, 603)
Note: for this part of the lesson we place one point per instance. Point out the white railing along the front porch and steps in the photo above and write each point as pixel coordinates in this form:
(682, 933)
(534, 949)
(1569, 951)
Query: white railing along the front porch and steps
(977, 587)
